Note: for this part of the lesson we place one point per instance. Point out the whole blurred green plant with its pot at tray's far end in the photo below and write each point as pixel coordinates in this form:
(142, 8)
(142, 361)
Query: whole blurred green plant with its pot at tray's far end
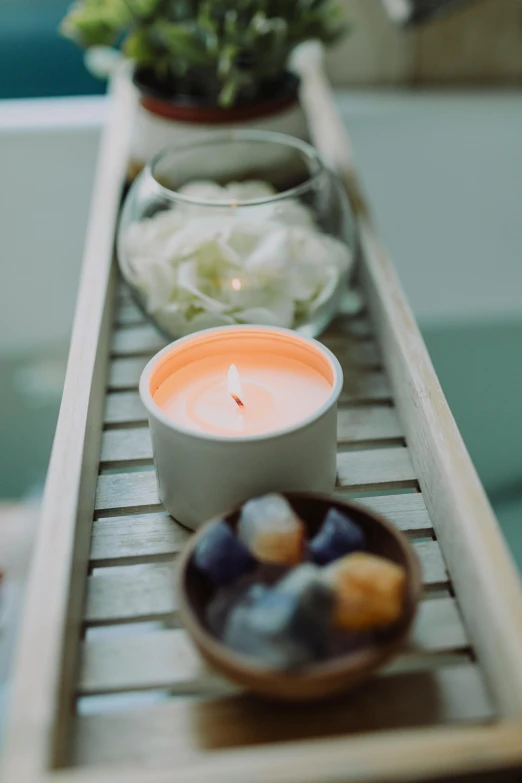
(202, 63)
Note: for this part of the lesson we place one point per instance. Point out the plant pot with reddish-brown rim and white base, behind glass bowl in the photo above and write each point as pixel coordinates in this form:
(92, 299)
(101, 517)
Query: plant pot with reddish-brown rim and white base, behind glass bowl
(162, 120)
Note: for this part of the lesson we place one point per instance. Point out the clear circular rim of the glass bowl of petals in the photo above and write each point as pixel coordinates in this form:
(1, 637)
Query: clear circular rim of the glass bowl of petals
(231, 136)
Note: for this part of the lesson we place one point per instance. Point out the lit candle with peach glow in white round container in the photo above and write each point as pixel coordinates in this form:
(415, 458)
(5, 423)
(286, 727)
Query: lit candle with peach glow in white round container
(216, 455)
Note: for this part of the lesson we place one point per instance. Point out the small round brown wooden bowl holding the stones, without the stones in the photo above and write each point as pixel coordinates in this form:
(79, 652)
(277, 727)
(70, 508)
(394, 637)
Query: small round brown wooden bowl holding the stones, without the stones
(332, 674)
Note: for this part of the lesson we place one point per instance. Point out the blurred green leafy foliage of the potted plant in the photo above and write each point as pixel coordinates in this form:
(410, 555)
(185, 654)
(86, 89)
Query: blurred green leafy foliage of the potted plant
(224, 50)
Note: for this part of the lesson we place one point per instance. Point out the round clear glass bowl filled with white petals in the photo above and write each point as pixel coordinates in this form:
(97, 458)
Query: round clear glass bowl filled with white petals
(241, 227)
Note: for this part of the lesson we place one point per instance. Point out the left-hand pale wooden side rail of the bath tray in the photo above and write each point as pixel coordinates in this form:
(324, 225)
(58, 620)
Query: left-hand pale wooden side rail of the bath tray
(42, 694)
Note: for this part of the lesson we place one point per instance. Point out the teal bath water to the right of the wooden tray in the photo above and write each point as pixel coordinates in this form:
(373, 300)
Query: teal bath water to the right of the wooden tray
(480, 369)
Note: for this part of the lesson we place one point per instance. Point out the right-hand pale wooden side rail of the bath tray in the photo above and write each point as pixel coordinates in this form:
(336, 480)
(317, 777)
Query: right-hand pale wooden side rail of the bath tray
(485, 577)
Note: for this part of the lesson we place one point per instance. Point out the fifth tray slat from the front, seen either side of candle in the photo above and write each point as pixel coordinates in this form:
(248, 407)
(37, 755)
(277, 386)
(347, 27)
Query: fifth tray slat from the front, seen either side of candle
(357, 471)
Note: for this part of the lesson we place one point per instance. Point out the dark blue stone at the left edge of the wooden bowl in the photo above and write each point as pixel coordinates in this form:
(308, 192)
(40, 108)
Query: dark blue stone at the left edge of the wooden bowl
(222, 556)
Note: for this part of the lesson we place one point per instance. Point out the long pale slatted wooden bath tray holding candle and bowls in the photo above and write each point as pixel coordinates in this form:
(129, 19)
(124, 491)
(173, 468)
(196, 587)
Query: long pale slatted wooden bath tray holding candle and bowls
(107, 686)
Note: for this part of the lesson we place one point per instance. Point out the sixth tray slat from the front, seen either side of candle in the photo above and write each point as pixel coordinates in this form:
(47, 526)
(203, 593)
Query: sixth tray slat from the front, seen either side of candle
(354, 425)
